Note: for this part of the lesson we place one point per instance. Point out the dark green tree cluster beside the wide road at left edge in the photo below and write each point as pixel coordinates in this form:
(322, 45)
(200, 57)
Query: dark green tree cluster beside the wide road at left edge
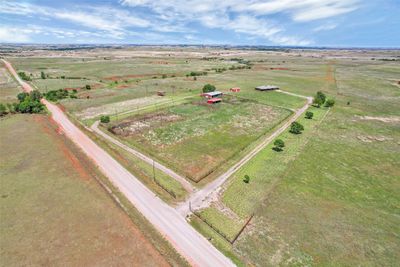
(28, 103)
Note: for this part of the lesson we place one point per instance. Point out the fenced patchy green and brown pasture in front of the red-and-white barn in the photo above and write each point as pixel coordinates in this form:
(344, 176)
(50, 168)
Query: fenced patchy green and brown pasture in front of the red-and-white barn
(195, 138)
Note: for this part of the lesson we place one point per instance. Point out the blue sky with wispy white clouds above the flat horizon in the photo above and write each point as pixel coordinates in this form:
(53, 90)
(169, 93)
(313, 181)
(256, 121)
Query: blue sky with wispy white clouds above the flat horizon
(344, 23)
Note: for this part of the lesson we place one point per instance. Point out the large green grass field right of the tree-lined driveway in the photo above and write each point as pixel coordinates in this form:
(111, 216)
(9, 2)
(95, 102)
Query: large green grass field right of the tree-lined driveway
(331, 197)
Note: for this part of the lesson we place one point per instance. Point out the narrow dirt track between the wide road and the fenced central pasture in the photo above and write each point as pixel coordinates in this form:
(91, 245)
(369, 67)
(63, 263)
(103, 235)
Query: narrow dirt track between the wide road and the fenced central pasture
(185, 184)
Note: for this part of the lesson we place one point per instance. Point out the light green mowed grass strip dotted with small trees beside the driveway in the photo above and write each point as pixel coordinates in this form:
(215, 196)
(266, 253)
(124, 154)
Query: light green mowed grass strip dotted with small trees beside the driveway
(266, 167)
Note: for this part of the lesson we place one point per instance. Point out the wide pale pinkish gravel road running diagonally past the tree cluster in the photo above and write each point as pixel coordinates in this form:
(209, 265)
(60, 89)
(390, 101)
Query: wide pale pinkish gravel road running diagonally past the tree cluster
(185, 239)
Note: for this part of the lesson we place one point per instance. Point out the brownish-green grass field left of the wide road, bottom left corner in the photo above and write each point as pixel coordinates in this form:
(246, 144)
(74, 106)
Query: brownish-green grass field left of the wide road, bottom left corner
(53, 211)
